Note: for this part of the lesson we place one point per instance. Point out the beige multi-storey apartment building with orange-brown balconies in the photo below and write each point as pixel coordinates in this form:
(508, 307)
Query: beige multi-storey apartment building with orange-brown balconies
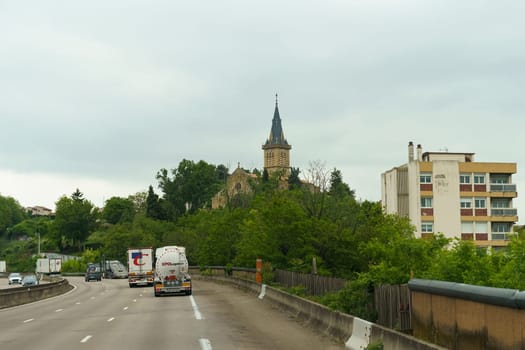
(450, 193)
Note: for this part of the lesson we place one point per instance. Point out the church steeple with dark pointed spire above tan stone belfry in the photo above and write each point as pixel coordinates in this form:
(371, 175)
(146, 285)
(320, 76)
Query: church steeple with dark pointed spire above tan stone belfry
(276, 148)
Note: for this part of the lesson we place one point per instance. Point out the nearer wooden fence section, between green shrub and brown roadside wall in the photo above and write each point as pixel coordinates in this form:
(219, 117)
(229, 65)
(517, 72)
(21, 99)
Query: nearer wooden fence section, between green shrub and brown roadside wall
(393, 306)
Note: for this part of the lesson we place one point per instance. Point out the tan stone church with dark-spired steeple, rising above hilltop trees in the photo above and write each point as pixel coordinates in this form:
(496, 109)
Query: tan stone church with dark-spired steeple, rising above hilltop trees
(276, 151)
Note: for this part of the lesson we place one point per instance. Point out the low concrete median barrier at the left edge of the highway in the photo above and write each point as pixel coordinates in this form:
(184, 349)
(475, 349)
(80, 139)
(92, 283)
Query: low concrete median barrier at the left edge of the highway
(23, 295)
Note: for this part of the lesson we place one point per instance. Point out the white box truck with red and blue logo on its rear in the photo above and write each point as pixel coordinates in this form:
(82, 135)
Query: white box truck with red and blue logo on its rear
(140, 267)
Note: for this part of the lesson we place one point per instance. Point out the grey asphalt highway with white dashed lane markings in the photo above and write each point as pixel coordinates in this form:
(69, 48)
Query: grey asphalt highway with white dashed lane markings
(110, 315)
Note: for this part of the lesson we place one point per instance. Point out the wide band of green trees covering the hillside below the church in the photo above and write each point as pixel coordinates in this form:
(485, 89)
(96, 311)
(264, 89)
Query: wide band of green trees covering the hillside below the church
(286, 221)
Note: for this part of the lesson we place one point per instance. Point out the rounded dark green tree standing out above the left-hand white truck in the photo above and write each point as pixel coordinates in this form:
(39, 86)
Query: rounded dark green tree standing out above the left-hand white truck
(75, 219)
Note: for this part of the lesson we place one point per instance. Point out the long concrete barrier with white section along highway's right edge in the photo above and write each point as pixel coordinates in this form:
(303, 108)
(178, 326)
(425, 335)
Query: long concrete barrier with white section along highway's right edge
(352, 331)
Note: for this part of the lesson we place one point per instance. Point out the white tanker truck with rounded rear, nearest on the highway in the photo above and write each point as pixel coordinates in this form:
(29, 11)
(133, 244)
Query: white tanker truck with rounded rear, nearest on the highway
(171, 271)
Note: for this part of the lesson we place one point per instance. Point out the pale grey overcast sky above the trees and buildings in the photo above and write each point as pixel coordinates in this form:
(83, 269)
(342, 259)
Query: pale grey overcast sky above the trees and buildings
(101, 95)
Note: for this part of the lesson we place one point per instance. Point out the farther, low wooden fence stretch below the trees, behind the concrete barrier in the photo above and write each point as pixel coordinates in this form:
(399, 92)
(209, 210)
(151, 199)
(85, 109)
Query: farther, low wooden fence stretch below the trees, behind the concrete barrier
(313, 284)
